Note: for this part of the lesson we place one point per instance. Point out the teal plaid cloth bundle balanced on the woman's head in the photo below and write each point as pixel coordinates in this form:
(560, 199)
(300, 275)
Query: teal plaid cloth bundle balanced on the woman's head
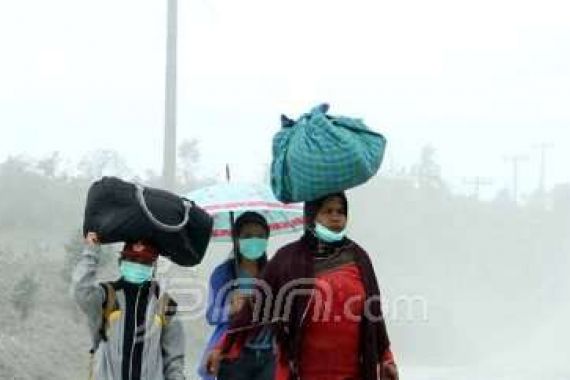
(321, 154)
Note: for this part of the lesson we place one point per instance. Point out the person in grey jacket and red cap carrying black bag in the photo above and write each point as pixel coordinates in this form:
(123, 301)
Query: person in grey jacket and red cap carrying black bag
(135, 328)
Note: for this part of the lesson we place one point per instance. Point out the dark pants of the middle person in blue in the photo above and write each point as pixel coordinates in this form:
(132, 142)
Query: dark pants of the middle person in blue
(251, 365)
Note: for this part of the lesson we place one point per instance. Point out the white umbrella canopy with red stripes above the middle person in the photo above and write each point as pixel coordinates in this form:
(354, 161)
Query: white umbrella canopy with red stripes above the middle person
(223, 199)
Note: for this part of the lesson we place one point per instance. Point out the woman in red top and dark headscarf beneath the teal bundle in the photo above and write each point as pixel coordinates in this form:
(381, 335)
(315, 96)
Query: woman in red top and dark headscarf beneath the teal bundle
(324, 306)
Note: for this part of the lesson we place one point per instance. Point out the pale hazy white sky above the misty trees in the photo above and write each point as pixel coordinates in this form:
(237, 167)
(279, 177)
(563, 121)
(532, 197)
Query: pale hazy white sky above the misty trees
(478, 79)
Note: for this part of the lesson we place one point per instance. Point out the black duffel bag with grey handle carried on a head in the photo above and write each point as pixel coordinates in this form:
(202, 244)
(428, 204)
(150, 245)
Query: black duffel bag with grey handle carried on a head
(120, 211)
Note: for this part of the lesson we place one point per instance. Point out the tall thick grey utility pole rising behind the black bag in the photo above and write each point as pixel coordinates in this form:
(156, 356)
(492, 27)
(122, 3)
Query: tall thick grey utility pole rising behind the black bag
(169, 154)
